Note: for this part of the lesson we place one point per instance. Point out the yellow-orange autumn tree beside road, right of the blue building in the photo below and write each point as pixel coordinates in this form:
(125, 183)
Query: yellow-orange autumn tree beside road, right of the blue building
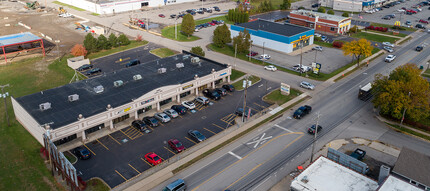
(357, 49)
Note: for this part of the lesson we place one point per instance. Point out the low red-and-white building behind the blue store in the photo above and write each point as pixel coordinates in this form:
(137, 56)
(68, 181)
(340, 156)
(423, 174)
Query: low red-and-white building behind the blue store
(321, 22)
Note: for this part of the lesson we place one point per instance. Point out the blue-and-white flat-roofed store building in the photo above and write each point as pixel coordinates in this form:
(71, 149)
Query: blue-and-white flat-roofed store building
(275, 36)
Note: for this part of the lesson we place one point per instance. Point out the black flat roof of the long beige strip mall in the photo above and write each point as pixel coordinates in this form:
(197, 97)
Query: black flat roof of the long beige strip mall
(63, 112)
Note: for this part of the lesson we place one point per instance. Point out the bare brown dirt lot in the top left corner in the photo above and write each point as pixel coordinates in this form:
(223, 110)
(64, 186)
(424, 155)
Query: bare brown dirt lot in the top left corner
(48, 23)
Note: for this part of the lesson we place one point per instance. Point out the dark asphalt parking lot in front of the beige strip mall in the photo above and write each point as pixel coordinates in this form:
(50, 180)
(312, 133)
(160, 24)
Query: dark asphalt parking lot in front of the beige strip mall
(119, 156)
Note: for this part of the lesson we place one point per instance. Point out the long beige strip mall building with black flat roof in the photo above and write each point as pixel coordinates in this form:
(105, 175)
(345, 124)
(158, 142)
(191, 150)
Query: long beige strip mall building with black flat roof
(76, 110)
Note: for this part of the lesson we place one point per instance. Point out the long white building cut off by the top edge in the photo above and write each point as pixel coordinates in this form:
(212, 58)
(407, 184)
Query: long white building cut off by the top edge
(117, 6)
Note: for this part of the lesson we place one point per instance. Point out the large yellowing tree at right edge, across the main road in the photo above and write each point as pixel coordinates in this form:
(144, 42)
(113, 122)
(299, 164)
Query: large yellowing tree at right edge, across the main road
(403, 90)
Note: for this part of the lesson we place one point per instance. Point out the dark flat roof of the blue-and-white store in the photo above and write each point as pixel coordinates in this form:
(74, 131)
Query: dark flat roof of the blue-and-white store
(285, 29)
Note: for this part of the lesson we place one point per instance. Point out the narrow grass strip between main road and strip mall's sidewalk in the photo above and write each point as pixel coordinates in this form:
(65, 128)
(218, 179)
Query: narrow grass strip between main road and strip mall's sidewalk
(194, 160)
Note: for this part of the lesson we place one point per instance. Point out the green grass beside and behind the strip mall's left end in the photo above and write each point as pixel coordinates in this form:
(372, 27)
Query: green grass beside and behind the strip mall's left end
(22, 167)
